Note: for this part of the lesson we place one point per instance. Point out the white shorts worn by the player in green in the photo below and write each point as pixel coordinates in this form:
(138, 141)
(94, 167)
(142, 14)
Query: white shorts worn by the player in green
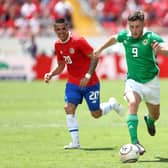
(149, 92)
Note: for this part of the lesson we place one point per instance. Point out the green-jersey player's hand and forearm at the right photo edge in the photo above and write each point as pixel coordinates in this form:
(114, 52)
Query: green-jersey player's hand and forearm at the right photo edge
(161, 48)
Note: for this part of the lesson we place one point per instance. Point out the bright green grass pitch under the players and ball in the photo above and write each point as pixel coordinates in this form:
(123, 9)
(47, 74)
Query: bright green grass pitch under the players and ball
(33, 129)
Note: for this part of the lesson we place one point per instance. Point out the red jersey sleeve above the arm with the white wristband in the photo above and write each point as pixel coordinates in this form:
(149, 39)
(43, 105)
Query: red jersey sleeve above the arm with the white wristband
(84, 46)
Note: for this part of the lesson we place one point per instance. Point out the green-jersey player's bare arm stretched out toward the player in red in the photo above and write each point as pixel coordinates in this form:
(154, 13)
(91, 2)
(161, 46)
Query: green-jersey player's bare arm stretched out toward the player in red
(111, 41)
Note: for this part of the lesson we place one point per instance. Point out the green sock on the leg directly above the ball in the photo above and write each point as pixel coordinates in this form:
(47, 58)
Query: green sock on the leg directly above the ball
(132, 122)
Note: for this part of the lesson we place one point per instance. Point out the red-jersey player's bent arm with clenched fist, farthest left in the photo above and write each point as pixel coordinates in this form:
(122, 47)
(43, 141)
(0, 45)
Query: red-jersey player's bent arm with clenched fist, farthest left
(57, 70)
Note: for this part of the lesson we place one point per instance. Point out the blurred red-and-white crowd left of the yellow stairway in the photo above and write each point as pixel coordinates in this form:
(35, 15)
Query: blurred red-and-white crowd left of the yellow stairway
(26, 17)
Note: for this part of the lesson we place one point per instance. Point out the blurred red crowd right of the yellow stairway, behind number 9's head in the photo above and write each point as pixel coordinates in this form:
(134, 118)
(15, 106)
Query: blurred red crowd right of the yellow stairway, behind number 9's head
(114, 13)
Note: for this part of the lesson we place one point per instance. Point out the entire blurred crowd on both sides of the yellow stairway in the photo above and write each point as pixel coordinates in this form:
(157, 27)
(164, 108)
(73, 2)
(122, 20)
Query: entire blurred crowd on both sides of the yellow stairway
(26, 17)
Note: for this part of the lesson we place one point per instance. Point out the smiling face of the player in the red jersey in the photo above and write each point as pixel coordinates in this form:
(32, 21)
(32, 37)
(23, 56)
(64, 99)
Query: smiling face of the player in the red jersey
(62, 31)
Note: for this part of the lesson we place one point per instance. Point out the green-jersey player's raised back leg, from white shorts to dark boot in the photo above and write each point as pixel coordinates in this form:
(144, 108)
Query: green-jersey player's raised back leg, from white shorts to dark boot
(152, 98)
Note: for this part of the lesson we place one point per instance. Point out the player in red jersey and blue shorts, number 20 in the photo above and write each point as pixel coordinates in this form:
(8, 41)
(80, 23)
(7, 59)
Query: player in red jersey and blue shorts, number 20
(78, 55)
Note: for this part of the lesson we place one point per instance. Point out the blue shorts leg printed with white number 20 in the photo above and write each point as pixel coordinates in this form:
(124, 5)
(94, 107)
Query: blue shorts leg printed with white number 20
(92, 97)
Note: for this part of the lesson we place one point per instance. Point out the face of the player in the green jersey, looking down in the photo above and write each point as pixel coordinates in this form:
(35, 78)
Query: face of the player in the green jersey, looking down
(136, 28)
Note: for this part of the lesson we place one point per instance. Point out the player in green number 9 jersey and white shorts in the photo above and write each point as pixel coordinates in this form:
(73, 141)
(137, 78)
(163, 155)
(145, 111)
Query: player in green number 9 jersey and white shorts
(142, 84)
